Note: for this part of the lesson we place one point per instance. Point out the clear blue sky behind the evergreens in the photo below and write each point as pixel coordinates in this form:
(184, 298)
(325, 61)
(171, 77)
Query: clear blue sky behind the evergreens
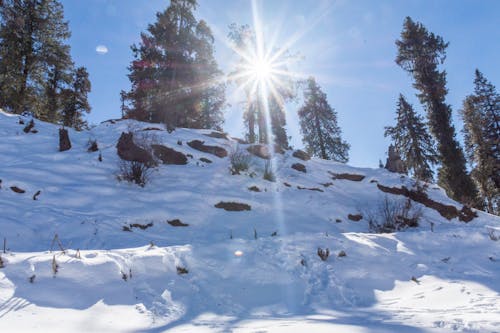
(347, 45)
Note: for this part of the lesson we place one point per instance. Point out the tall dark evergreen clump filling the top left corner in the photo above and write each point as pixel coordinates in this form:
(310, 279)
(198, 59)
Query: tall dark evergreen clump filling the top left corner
(34, 59)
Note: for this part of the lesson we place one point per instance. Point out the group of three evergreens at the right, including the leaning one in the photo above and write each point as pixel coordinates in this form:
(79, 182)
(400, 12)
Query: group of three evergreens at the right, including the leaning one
(420, 53)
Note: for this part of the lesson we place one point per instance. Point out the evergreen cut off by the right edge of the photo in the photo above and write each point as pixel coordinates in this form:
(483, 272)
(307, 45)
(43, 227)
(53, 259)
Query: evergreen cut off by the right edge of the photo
(481, 116)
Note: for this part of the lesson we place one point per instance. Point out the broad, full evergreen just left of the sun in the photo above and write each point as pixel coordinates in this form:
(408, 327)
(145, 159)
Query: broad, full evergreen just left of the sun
(175, 79)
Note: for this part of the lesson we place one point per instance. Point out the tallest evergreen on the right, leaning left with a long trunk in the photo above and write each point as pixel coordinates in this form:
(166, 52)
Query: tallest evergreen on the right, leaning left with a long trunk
(419, 53)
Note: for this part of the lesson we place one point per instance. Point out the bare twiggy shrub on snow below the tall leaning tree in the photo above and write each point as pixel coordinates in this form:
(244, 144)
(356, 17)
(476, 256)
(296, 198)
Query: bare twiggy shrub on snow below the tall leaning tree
(393, 216)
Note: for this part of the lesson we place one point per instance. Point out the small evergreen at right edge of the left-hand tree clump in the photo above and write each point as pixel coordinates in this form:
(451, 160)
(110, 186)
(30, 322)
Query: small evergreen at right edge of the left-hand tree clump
(75, 102)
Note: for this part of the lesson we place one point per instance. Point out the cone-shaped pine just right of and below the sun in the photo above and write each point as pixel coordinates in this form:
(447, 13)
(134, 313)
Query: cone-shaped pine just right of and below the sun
(318, 121)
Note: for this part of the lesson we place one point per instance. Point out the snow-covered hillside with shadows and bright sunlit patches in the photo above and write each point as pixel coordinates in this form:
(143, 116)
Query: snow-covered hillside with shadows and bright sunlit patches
(248, 271)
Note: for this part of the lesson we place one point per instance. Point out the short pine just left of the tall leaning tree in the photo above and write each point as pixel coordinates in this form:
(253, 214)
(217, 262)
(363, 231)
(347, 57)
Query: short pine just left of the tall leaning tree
(412, 141)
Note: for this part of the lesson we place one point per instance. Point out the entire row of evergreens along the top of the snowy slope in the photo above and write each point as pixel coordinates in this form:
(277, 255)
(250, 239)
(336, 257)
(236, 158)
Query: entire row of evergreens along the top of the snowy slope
(175, 80)
